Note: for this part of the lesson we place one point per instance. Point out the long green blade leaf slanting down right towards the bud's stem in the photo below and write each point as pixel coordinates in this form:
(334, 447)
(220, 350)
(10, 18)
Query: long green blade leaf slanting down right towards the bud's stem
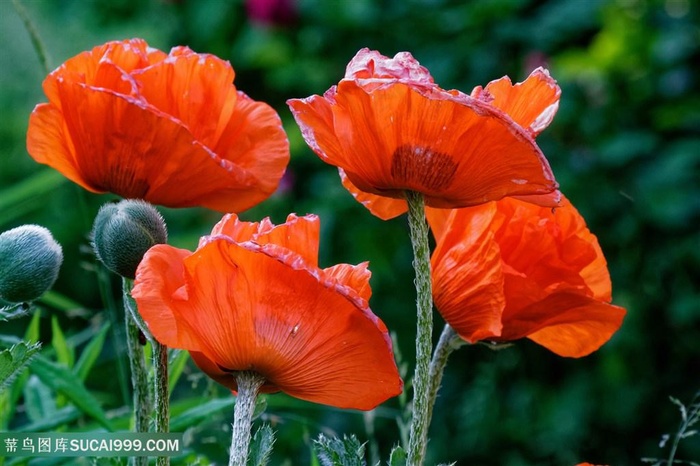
(63, 381)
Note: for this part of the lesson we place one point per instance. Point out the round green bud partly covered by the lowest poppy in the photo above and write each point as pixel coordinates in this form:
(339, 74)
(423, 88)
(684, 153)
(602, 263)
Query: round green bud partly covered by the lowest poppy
(123, 232)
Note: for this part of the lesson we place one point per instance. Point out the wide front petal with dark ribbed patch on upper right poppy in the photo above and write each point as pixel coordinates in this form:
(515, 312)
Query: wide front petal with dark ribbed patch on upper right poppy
(444, 160)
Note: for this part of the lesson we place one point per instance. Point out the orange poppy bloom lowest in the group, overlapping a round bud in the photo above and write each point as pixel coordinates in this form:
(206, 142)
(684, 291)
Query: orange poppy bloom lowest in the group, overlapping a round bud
(251, 297)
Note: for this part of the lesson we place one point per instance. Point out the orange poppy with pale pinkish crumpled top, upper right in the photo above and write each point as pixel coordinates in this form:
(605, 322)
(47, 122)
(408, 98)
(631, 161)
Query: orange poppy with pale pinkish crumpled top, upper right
(389, 128)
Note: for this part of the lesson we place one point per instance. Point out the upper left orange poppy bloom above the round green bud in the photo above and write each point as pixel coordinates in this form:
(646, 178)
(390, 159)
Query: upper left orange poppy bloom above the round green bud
(168, 128)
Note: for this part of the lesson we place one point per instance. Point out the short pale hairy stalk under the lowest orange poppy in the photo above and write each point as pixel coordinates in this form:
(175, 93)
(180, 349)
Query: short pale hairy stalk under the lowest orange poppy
(248, 385)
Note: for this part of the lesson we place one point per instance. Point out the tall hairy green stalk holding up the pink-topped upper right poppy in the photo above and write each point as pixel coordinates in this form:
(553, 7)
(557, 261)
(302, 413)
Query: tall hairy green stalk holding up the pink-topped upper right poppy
(418, 439)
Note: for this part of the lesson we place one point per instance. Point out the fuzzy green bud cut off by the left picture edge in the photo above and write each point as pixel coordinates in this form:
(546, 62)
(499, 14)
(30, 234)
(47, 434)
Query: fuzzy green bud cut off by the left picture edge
(29, 263)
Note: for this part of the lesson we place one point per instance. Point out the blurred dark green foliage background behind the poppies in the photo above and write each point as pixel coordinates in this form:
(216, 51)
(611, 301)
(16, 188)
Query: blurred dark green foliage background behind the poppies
(625, 147)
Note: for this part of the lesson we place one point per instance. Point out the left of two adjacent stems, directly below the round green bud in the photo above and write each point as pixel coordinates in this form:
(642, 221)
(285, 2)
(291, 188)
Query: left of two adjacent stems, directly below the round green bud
(139, 374)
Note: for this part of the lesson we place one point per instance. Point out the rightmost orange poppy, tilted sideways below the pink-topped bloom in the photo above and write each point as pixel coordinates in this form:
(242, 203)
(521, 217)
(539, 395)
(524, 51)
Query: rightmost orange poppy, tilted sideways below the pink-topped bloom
(509, 269)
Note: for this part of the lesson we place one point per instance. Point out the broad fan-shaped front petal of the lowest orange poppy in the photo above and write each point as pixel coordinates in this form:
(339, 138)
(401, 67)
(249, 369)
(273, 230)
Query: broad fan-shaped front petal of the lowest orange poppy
(251, 311)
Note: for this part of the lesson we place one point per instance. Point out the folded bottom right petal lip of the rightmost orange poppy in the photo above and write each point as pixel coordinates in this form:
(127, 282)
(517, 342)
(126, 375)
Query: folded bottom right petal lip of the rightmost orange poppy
(567, 324)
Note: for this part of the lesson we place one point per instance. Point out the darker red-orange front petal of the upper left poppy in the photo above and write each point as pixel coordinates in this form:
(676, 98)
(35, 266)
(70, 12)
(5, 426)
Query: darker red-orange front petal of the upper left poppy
(137, 166)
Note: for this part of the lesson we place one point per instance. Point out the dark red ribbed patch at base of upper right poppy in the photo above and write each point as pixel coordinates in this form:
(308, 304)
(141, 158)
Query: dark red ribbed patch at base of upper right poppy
(416, 165)
